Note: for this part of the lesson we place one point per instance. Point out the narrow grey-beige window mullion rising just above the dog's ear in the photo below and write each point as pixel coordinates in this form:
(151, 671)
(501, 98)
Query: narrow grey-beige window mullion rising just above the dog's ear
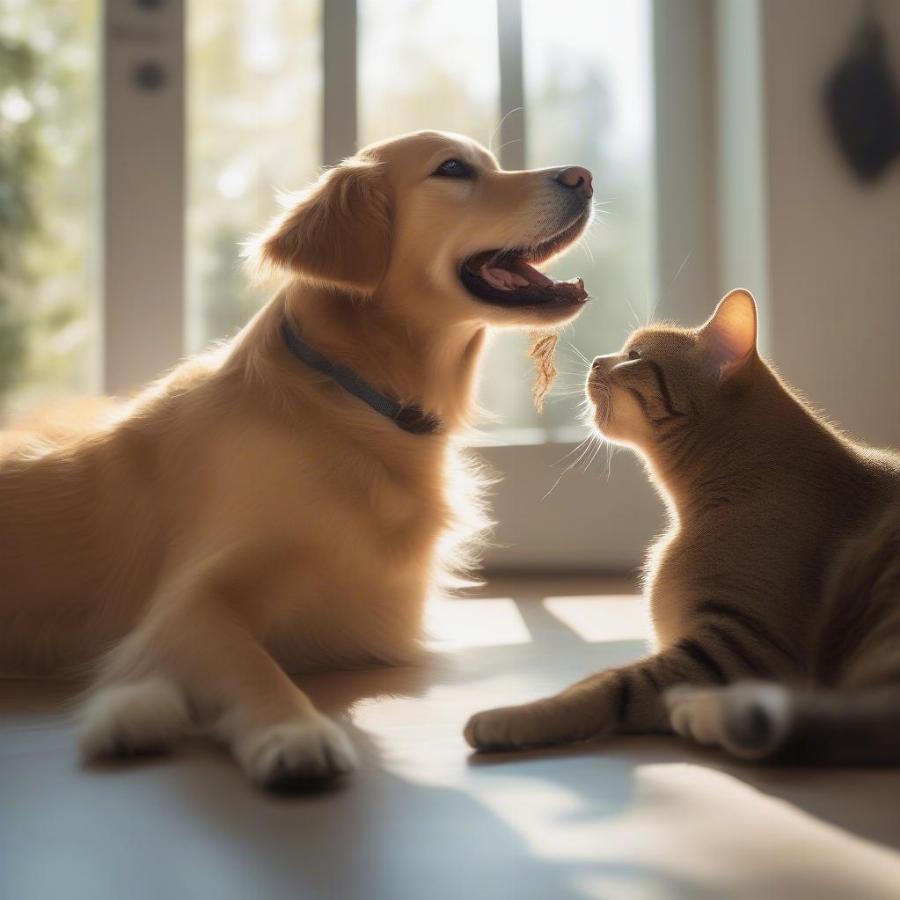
(339, 66)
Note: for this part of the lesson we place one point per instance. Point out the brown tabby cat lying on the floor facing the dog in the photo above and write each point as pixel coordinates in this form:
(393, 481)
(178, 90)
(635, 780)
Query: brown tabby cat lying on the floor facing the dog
(775, 591)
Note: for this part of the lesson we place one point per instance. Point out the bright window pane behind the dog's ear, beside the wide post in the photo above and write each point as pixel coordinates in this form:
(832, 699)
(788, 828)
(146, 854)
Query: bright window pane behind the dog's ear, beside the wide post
(254, 128)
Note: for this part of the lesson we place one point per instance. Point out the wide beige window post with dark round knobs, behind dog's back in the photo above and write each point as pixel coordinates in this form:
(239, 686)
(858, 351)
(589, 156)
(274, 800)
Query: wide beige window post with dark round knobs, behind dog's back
(143, 191)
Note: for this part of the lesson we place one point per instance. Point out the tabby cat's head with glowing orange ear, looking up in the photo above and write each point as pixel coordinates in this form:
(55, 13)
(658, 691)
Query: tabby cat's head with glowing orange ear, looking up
(667, 379)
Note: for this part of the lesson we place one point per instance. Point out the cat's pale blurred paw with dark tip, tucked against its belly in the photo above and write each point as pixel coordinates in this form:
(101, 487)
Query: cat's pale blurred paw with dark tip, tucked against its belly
(750, 719)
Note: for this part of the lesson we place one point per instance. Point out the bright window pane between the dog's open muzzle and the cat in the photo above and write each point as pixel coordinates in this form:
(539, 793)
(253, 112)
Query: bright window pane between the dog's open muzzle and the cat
(588, 97)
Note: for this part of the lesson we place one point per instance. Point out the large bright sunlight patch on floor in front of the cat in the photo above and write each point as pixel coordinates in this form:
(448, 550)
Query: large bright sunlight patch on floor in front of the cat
(657, 816)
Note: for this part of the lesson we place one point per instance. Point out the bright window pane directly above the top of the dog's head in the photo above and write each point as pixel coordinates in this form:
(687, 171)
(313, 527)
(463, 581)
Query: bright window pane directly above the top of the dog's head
(427, 65)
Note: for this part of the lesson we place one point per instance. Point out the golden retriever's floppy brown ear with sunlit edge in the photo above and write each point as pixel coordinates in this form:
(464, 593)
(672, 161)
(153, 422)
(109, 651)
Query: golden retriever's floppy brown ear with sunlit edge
(337, 232)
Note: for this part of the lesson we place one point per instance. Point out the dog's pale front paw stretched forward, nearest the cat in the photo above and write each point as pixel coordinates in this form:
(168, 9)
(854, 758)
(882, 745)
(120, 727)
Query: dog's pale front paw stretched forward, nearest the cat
(297, 754)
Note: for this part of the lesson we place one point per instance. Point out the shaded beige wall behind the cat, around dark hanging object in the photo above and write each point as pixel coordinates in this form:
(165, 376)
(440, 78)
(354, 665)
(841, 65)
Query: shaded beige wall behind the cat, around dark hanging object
(833, 244)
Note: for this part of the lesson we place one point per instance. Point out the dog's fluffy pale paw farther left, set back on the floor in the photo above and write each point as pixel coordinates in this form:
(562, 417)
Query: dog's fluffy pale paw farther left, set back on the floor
(147, 716)
